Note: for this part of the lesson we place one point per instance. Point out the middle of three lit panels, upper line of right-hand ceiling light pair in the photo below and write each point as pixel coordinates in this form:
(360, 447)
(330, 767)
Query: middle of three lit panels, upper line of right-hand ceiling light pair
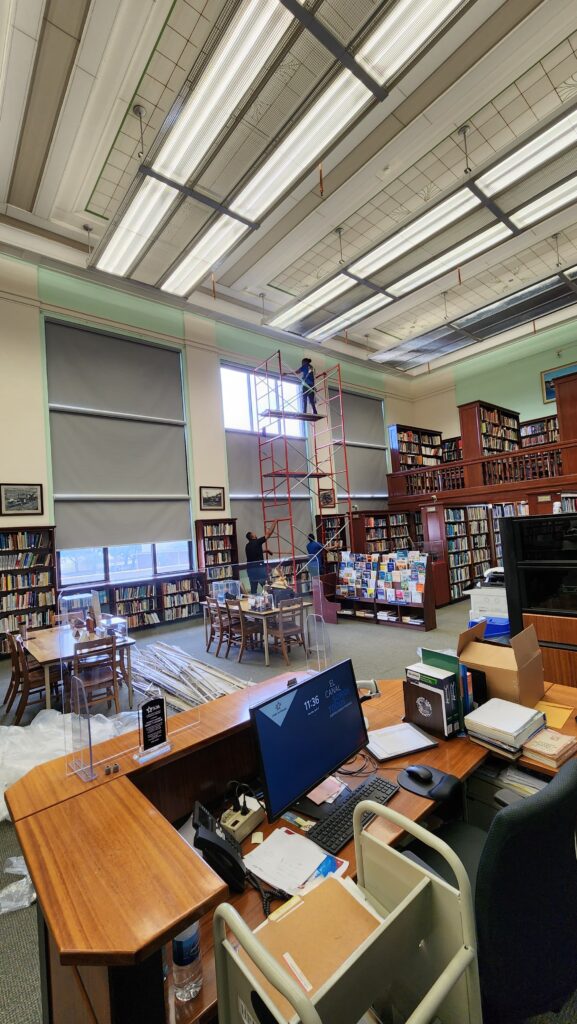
(421, 230)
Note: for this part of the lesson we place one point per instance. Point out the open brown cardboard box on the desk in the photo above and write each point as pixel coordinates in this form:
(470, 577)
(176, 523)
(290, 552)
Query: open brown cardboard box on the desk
(514, 673)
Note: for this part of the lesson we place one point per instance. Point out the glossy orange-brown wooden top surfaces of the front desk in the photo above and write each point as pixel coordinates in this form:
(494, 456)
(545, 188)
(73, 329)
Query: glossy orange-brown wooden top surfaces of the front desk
(115, 880)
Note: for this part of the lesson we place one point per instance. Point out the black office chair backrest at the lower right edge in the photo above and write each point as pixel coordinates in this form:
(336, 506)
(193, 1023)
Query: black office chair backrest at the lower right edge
(526, 905)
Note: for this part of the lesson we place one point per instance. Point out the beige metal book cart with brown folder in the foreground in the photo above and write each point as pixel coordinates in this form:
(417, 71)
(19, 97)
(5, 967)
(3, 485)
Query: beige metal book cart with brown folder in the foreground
(417, 965)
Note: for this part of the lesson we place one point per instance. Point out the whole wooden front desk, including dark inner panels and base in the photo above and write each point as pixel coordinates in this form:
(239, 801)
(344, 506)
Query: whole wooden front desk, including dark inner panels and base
(115, 882)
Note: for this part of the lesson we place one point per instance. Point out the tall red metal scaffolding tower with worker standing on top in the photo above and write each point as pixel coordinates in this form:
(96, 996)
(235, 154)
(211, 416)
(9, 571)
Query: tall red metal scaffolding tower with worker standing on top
(296, 460)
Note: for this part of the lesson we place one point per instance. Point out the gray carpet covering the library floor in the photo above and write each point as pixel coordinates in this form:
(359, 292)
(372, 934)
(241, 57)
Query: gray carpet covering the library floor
(378, 652)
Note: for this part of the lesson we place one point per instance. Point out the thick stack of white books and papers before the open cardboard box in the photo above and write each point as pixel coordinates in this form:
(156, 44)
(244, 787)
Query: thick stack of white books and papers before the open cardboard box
(504, 727)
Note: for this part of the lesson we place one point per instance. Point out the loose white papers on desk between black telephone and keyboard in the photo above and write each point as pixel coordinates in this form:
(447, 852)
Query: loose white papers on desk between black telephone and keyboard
(285, 861)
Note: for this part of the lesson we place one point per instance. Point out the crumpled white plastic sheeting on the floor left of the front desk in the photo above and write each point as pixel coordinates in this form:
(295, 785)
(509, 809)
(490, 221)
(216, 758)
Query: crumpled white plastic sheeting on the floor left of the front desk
(22, 748)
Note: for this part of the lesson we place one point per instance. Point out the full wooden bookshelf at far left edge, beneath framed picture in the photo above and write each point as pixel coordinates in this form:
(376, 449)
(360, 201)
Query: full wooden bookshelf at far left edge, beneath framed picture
(27, 579)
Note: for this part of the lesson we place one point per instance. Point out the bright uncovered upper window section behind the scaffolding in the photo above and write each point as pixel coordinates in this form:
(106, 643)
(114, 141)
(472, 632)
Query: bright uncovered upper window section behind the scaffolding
(240, 403)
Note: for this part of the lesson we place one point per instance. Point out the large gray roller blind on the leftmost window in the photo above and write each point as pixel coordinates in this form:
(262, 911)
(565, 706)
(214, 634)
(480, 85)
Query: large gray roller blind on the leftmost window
(118, 441)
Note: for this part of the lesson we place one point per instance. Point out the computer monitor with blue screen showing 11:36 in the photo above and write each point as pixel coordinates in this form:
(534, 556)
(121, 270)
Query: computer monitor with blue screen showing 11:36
(306, 733)
